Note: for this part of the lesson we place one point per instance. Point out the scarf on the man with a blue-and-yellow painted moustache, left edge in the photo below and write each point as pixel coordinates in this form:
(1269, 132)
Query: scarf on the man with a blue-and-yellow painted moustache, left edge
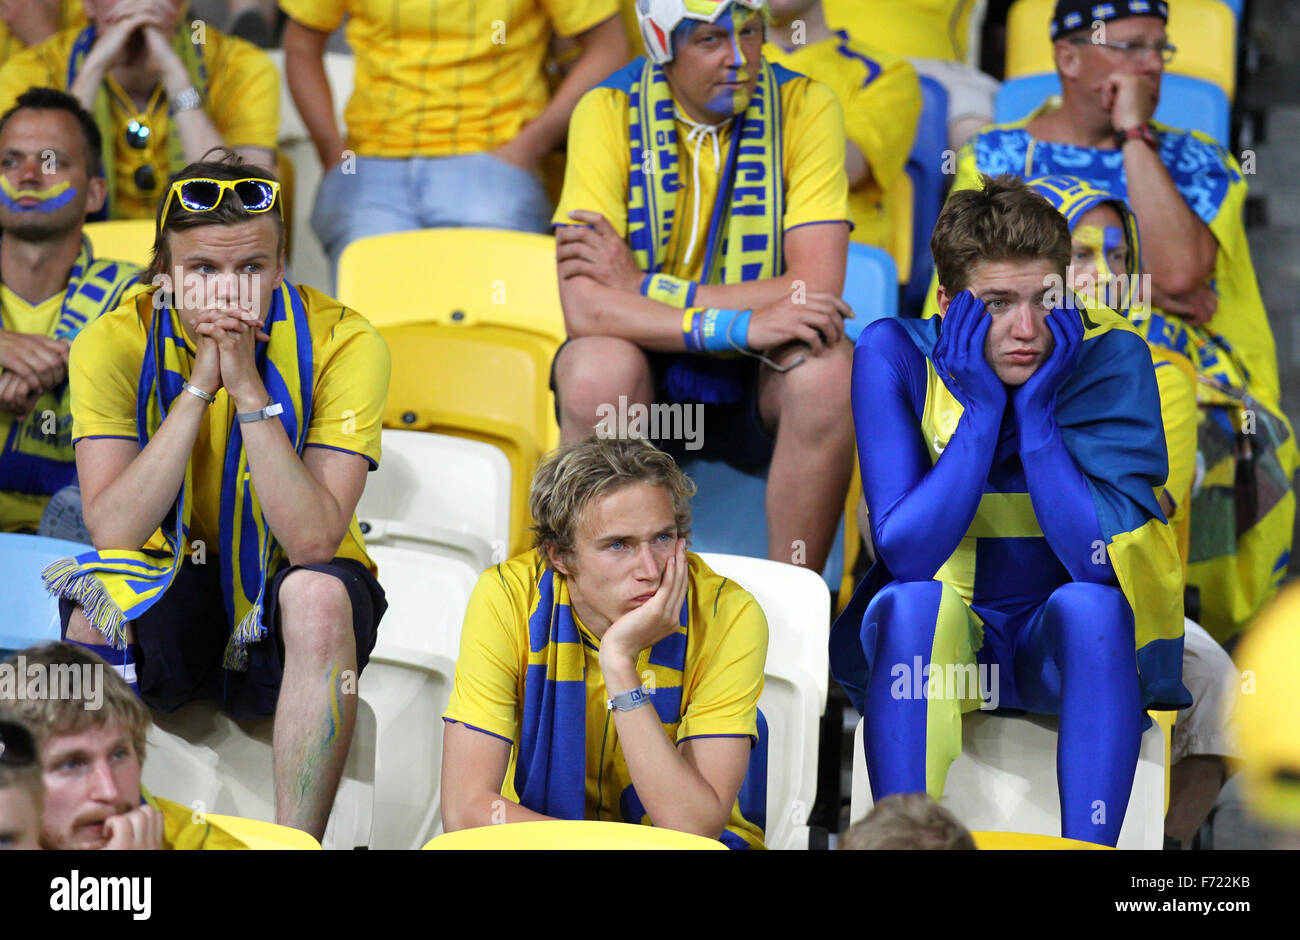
(34, 462)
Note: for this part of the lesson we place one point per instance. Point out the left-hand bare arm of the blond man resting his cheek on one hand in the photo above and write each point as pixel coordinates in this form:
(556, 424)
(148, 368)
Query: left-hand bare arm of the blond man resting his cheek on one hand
(474, 768)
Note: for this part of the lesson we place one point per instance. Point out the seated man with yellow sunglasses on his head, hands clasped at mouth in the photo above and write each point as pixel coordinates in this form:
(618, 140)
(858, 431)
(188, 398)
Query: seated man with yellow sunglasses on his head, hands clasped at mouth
(224, 424)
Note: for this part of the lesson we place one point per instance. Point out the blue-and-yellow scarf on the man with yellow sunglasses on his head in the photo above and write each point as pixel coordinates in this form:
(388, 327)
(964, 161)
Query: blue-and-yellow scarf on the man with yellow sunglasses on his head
(119, 586)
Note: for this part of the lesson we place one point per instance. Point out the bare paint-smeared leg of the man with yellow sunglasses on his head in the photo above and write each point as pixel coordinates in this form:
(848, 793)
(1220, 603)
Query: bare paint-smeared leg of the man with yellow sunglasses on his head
(318, 700)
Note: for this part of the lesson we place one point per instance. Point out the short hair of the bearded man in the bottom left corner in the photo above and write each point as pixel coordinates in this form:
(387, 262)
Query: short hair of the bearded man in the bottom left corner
(68, 714)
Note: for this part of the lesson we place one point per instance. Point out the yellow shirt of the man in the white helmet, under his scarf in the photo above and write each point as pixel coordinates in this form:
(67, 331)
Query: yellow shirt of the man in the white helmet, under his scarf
(817, 188)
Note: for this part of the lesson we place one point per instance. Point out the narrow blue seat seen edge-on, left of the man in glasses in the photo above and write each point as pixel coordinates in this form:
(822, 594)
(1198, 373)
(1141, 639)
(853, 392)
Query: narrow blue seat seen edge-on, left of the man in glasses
(929, 187)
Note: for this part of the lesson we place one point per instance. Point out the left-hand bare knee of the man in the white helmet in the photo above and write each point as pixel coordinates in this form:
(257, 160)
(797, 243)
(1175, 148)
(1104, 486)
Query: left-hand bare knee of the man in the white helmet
(593, 372)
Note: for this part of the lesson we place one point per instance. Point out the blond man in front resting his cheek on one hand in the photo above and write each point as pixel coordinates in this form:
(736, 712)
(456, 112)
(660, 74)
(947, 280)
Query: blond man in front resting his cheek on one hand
(608, 674)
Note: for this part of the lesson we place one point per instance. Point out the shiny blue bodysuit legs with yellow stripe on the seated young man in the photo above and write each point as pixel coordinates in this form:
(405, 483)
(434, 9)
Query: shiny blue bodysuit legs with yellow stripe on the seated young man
(1073, 656)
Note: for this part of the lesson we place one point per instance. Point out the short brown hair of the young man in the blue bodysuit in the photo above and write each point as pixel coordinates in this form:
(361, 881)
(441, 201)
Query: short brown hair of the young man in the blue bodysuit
(1003, 222)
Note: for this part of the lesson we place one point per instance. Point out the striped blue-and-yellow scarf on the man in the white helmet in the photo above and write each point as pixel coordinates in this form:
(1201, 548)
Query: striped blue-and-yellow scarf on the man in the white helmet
(746, 233)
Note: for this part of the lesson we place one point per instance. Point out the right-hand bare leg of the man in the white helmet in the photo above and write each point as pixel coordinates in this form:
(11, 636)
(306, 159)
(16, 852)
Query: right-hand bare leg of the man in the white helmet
(813, 460)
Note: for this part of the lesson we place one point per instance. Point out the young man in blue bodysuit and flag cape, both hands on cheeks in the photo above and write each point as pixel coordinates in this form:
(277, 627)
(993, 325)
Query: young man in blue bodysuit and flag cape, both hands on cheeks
(1011, 456)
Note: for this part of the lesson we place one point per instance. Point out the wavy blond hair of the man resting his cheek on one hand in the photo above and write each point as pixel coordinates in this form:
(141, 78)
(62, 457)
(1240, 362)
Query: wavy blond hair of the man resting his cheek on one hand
(573, 477)
